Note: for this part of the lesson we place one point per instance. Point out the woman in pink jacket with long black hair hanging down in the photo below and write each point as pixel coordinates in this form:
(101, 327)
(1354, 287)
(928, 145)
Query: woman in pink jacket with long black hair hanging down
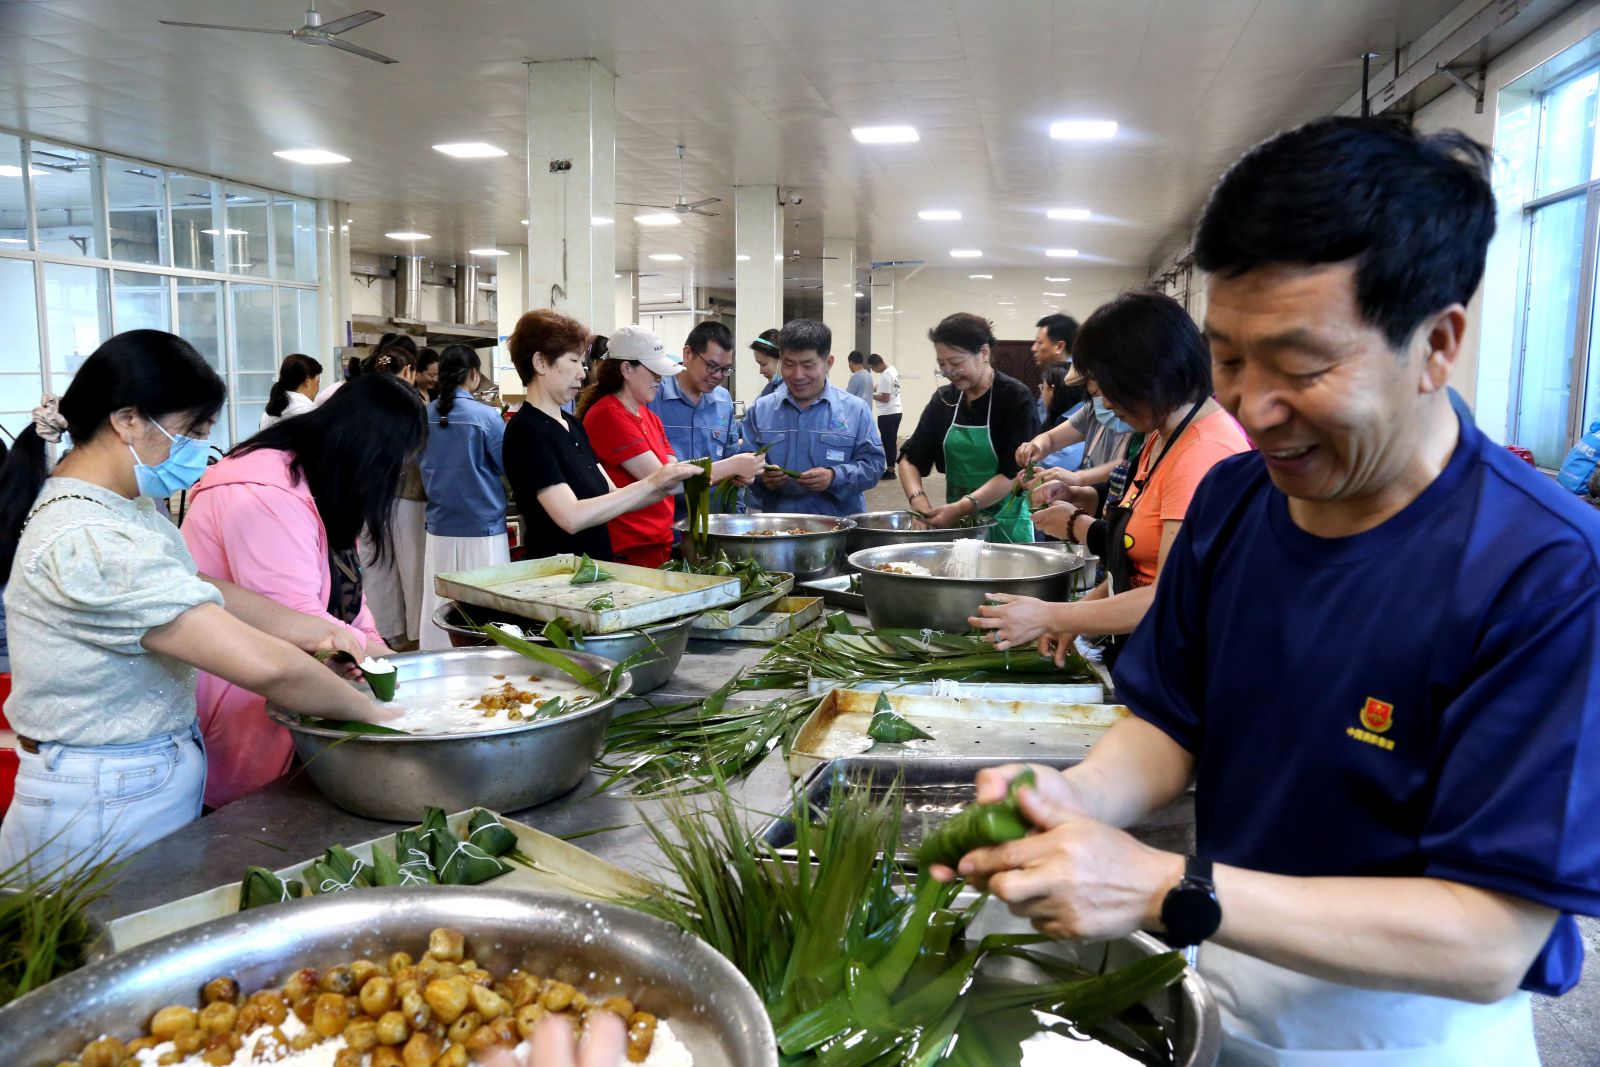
(281, 516)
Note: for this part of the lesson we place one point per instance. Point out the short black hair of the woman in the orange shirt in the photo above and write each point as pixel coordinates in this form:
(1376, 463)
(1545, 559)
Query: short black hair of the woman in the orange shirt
(1145, 354)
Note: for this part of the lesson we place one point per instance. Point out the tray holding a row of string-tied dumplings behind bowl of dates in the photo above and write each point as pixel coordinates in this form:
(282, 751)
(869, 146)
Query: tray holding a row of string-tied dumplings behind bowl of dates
(559, 868)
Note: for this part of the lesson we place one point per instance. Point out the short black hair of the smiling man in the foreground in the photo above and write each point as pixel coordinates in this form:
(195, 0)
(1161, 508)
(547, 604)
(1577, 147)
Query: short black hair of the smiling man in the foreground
(1415, 212)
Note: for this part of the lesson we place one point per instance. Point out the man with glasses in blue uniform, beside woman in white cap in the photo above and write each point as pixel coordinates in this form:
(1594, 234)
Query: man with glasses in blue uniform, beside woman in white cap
(694, 407)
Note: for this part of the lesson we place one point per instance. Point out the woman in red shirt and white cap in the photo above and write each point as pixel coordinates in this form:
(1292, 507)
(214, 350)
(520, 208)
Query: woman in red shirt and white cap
(630, 441)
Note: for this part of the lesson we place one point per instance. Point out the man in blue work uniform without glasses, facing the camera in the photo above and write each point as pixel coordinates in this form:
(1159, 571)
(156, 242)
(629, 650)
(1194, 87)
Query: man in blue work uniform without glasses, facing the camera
(814, 430)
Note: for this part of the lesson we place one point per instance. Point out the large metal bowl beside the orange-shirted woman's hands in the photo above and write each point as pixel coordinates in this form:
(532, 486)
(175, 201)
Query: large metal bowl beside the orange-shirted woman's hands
(945, 604)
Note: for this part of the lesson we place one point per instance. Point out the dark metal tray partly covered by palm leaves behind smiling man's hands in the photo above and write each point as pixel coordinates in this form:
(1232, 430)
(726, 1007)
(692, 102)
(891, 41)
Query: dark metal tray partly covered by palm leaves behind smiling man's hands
(937, 789)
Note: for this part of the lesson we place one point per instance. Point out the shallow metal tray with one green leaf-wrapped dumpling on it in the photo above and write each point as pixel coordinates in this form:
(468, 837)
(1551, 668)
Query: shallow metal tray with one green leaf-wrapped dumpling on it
(994, 729)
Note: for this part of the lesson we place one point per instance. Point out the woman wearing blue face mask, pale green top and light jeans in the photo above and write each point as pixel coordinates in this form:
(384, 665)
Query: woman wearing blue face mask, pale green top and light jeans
(110, 620)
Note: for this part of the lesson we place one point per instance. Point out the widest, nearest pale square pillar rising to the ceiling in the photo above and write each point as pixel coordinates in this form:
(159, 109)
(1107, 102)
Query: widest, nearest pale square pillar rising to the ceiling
(572, 182)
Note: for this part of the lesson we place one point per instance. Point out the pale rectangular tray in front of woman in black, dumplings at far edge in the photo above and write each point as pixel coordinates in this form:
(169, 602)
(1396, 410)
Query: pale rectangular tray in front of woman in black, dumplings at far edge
(542, 589)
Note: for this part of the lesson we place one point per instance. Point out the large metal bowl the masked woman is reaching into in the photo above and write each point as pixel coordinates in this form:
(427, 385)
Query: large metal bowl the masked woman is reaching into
(394, 777)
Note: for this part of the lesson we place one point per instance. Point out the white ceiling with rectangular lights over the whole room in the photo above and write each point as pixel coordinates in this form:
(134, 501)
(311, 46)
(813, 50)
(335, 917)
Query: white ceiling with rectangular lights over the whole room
(759, 90)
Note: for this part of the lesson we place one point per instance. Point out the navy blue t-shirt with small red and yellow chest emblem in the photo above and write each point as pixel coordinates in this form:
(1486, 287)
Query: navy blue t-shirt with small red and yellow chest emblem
(1420, 700)
